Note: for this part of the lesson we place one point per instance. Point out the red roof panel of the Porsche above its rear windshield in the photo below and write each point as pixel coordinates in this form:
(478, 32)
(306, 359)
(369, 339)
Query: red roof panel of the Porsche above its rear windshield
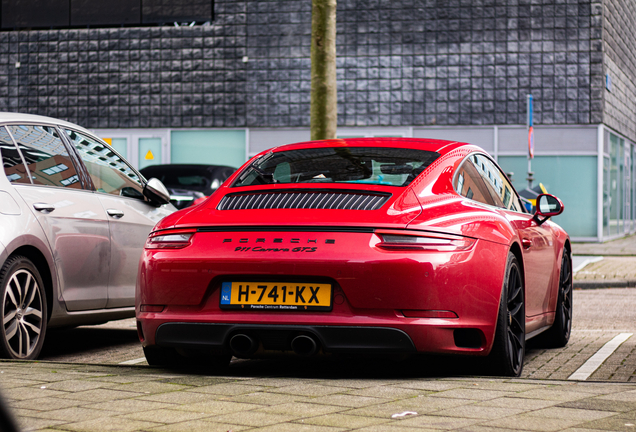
(428, 144)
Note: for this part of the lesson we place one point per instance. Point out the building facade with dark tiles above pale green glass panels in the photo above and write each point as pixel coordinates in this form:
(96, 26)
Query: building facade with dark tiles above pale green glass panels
(221, 90)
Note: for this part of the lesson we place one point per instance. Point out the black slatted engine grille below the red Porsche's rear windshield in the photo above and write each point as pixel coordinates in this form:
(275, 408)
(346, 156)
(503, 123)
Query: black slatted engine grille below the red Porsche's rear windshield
(304, 200)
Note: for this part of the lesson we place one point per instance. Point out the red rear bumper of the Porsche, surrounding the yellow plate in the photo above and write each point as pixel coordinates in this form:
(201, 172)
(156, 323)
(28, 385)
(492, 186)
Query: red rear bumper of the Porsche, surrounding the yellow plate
(372, 291)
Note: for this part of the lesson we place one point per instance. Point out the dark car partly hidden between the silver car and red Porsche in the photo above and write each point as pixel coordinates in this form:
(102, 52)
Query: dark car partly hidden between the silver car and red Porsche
(189, 182)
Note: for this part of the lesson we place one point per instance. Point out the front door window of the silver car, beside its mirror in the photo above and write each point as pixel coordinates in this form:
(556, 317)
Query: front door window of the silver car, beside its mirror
(110, 174)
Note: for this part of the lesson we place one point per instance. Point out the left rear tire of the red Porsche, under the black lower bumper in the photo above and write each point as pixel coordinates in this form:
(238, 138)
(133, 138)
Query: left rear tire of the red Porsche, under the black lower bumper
(172, 358)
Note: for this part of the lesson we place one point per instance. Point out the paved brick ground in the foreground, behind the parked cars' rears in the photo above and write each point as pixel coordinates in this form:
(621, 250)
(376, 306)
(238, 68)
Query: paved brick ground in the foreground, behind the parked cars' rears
(48, 396)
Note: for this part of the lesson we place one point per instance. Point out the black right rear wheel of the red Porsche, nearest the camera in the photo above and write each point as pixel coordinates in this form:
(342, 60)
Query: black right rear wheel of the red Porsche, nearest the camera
(508, 351)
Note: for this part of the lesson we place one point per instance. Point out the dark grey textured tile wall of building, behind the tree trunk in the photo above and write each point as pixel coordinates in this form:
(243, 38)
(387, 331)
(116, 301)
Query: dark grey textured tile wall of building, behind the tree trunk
(400, 62)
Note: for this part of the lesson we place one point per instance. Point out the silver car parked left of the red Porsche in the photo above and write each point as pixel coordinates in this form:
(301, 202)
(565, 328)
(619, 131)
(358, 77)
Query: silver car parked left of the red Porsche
(74, 217)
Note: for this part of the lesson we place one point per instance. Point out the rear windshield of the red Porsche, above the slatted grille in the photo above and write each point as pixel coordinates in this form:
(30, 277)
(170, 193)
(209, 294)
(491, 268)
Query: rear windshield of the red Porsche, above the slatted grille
(368, 165)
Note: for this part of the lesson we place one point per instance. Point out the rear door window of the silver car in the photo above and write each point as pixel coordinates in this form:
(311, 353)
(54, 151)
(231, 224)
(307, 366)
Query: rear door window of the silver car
(47, 159)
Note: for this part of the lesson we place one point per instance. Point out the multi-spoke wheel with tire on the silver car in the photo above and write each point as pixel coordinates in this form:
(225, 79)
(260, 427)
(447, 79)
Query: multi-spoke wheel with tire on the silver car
(23, 310)
